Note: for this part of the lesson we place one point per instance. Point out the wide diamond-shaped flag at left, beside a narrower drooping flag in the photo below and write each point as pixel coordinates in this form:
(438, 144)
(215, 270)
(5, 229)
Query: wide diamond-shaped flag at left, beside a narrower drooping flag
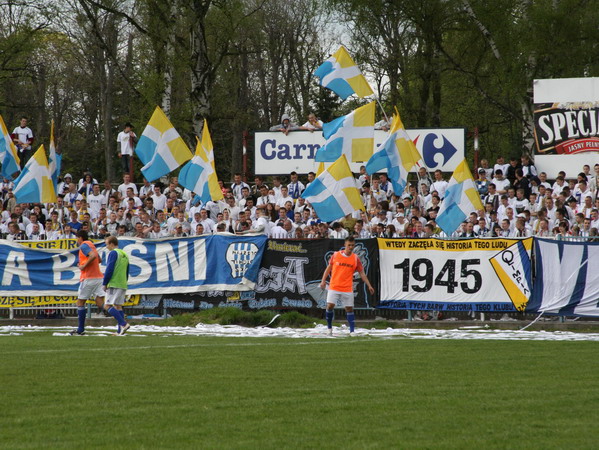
(160, 147)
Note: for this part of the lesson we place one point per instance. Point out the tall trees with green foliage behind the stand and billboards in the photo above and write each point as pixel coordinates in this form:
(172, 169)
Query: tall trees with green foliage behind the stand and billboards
(441, 62)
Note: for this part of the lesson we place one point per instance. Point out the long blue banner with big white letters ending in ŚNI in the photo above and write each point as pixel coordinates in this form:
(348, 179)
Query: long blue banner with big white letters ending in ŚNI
(156, 266)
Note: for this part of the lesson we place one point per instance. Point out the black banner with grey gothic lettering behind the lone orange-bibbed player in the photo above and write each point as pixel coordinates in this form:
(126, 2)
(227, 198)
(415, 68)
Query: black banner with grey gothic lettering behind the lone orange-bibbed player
(291, 272)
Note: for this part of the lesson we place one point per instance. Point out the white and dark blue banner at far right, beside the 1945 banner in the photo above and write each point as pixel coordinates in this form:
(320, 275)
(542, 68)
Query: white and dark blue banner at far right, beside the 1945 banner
(567, 279)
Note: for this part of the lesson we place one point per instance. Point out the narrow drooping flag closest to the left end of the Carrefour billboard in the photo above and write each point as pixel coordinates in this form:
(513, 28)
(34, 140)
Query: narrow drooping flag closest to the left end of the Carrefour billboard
(198, 175)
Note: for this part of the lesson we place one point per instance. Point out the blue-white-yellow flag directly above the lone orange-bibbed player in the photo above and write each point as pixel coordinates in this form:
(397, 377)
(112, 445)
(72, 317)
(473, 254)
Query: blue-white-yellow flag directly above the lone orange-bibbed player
(334, 193)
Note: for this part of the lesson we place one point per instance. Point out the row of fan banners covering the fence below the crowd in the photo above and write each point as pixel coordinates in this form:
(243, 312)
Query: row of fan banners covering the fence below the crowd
(453, 276)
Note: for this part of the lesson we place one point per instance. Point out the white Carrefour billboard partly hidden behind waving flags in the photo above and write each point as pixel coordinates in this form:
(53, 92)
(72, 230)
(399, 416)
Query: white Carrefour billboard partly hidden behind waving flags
(277, 154)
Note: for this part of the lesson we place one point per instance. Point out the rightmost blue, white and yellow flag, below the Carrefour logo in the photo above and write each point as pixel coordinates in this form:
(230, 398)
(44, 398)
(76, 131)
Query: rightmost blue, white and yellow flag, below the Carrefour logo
(461, 198)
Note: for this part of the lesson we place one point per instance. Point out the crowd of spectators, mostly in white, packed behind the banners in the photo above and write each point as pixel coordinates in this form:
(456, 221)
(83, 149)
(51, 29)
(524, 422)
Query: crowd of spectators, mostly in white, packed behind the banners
(518, 202)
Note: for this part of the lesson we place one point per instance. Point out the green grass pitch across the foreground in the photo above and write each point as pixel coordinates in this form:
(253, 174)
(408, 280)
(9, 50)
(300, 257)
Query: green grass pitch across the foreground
(200, 392)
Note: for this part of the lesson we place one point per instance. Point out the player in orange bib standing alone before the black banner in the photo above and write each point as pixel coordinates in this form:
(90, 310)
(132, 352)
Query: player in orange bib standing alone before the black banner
(341, 267)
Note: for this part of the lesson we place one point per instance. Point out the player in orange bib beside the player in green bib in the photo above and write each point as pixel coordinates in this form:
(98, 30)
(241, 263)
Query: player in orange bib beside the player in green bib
(90, 285)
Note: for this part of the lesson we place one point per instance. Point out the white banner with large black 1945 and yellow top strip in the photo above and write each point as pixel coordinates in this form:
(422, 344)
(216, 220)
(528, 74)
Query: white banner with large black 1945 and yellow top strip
(435, 274)
